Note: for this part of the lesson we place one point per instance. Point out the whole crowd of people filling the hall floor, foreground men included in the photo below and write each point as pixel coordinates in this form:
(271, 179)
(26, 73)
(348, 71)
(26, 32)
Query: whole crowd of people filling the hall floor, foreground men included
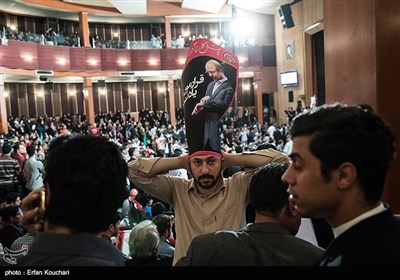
(95, 176)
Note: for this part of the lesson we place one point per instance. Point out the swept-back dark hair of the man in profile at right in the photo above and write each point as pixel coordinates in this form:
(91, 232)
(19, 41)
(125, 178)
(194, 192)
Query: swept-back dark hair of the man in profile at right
(354, 134)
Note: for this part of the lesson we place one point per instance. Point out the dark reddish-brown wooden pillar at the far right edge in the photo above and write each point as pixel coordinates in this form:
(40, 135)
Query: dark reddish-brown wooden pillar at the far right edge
(388, 84)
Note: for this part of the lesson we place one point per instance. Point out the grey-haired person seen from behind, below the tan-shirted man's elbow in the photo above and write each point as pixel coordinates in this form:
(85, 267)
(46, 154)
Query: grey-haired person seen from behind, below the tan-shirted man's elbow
(143, 246)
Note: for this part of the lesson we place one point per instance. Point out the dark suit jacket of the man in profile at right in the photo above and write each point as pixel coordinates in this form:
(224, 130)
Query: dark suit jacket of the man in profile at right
(374, 241)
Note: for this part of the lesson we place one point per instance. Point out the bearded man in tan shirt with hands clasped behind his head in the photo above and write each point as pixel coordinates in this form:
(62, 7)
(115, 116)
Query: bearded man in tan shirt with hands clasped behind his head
(207, 202)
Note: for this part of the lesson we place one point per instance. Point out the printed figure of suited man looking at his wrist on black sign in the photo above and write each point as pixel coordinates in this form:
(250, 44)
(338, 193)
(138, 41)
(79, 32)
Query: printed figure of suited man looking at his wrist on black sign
(216, 101)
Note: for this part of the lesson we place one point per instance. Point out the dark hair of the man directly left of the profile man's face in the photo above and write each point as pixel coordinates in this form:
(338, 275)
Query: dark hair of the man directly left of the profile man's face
(267, 190)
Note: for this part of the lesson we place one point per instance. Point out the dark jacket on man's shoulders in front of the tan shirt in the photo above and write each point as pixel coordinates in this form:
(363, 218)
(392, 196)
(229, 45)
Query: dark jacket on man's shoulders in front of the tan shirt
(259, 244)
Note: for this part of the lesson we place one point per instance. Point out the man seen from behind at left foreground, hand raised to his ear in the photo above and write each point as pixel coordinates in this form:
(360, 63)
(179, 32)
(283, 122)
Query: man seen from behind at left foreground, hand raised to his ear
(85, 180)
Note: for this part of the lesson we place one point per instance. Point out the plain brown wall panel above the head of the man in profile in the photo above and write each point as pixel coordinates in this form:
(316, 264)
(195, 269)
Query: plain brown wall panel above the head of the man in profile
(350, 45)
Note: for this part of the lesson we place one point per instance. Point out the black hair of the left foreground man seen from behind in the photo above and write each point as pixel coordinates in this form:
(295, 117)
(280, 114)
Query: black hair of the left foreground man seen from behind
(86, 176)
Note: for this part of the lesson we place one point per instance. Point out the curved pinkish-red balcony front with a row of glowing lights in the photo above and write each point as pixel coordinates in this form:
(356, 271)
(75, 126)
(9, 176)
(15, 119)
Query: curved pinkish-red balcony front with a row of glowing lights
(21, 59)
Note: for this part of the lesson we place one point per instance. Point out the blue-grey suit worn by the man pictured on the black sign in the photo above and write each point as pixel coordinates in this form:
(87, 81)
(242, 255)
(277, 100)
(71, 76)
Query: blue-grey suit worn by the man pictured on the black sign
(214, 109)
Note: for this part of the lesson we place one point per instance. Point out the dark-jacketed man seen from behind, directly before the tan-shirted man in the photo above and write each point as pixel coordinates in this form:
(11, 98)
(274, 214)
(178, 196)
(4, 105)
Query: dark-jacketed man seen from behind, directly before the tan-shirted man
(270, 241)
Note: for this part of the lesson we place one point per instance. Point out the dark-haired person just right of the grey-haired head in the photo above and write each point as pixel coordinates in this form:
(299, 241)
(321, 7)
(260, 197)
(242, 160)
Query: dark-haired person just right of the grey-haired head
(164, 227)
